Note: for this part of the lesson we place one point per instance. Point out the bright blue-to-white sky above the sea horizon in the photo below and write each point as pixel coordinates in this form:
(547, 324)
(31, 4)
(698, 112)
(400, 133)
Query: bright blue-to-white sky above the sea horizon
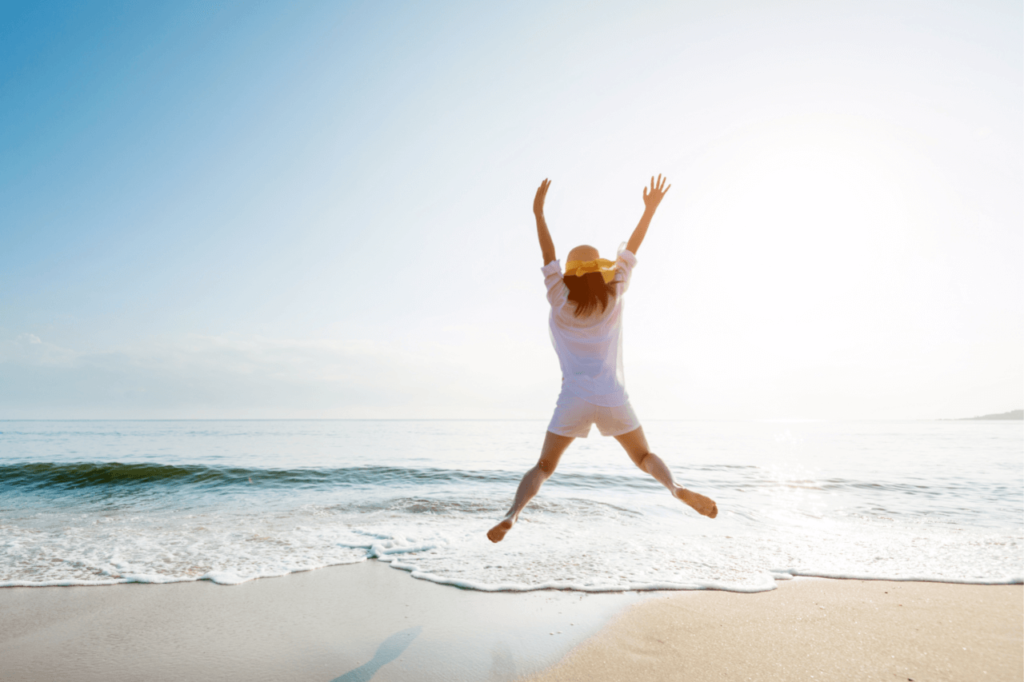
(324, 209)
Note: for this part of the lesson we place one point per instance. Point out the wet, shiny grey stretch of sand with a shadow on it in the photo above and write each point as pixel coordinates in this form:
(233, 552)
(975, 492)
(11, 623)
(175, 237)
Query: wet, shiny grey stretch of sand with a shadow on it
(350, 624)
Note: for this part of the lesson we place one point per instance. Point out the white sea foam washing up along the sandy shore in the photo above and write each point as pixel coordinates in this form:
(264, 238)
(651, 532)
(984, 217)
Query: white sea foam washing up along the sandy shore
(545, 557)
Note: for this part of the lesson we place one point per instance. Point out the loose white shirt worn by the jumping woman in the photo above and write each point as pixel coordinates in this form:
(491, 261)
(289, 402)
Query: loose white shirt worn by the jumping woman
(590, 349)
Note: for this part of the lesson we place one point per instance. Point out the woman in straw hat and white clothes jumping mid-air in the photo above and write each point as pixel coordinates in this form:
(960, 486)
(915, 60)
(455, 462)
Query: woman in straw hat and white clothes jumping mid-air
(587, 331)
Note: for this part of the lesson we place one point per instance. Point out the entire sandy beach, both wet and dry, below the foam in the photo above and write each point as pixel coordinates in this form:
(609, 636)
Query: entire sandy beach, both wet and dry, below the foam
(371, 622)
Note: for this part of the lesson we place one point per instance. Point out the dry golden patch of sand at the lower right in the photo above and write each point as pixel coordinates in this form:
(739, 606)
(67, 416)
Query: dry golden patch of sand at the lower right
(813, 630)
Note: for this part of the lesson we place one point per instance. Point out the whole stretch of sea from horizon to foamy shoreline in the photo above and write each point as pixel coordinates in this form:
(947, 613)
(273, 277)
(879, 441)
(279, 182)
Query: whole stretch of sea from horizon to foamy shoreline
(104, 502)
